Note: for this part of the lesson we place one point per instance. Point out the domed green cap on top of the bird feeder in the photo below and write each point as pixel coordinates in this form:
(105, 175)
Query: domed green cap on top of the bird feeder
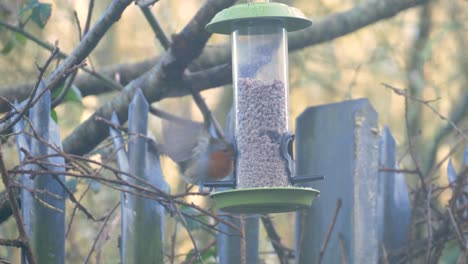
(292, 18)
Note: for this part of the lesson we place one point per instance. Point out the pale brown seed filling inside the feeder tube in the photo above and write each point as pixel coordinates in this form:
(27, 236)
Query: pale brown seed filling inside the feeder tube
(262, 120)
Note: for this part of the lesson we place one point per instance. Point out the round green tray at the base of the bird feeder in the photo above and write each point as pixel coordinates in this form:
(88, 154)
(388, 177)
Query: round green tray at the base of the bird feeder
(264, 200)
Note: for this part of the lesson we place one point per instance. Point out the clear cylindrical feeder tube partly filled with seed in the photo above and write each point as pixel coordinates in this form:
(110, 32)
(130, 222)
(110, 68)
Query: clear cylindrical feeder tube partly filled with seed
(260, 78)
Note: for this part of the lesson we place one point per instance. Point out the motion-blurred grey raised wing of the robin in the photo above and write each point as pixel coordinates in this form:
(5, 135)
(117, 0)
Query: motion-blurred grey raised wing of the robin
(181, 138)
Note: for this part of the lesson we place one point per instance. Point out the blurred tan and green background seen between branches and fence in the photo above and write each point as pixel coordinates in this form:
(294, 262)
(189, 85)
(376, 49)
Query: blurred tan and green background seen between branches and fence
(422, 49)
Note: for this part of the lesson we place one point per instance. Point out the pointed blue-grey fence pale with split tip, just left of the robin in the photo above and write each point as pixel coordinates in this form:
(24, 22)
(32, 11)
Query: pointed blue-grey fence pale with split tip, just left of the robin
(142, 218)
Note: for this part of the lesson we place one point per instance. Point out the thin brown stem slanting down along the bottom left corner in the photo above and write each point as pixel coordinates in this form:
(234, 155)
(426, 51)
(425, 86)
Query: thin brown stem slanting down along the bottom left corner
(16, 211)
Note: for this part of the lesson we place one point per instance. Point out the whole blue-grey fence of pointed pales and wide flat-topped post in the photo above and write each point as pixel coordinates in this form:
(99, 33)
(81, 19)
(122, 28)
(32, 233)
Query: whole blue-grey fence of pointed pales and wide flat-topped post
(369, 209)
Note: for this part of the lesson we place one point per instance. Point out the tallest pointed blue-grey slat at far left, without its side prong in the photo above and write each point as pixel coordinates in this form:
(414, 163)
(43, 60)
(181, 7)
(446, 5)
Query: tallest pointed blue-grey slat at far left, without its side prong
(48, 215)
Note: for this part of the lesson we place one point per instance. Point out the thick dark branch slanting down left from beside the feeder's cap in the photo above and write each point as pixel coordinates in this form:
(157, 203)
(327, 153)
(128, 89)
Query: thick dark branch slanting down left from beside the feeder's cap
(166, 75)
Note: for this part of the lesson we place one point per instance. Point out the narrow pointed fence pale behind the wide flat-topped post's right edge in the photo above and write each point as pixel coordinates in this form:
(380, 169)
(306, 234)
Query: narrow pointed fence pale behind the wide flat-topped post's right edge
(393, 207)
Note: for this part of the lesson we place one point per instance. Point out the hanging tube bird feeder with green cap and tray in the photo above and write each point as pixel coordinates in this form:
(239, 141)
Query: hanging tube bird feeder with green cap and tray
(264, 168)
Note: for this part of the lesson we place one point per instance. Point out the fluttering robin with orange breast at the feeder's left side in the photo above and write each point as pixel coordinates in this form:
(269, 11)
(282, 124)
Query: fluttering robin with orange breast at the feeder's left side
(200, 154)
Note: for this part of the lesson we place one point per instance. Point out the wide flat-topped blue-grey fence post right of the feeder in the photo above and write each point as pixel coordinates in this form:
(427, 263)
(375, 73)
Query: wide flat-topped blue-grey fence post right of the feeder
(339, 141)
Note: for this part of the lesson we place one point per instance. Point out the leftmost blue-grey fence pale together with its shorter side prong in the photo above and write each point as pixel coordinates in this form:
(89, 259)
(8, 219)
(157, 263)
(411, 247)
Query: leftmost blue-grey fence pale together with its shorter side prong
(44, 215)
